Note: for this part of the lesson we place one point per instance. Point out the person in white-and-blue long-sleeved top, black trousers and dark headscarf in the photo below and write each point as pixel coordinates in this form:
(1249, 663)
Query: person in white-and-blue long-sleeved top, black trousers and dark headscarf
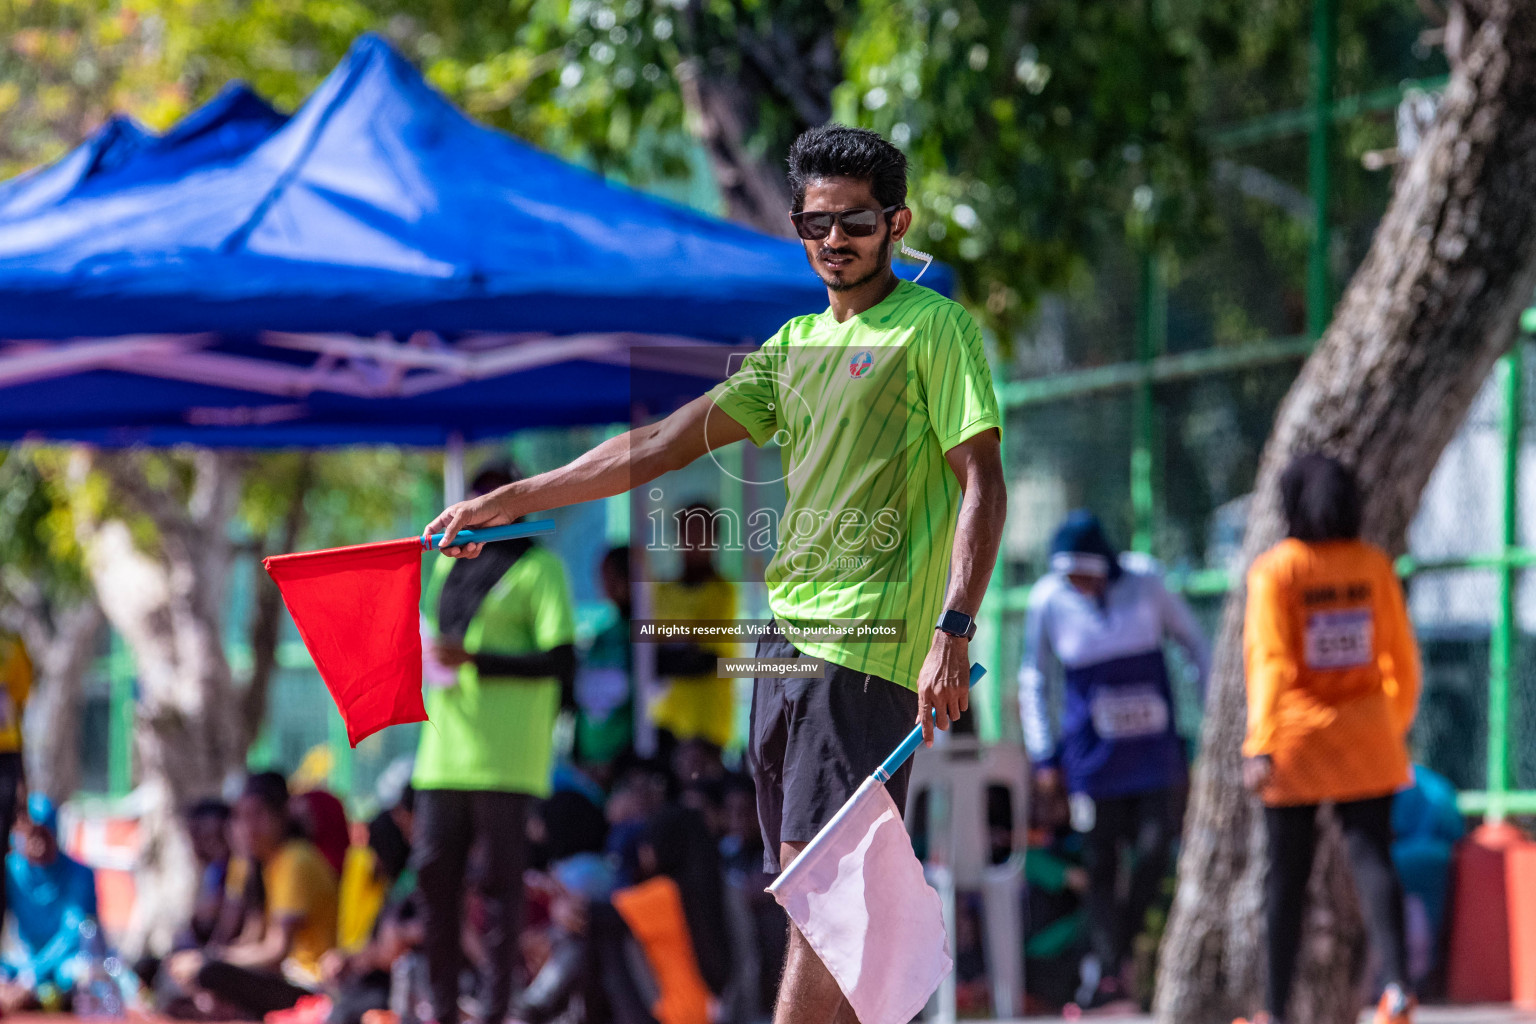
(1096, 630)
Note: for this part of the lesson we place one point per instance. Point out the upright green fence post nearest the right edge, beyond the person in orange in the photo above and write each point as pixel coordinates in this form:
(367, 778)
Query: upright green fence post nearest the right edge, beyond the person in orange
(1501, 652)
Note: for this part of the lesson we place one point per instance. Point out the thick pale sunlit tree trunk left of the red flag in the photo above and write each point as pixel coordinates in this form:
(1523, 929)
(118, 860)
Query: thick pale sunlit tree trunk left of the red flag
(168, 607)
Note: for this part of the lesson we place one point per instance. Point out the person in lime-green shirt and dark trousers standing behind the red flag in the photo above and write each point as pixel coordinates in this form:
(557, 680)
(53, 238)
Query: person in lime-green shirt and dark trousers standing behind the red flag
(505, 627)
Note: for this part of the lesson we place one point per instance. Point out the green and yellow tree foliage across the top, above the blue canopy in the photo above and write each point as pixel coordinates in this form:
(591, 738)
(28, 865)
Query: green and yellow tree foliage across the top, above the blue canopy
(1039, 133)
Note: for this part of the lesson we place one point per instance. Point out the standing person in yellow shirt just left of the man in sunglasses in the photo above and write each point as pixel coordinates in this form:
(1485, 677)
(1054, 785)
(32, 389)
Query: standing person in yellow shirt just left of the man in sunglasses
(697, 704)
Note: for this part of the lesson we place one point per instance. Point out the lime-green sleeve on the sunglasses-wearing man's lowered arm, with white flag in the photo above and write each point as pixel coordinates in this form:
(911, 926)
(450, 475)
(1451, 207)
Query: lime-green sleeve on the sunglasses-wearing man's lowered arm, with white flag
(958, 380)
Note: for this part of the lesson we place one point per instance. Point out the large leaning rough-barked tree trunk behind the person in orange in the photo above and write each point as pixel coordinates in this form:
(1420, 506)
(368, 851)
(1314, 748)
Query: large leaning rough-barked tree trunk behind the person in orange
(1429, 311)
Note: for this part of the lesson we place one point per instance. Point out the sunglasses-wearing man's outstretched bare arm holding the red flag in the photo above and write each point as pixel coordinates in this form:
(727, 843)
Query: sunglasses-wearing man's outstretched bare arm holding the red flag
(634, 458)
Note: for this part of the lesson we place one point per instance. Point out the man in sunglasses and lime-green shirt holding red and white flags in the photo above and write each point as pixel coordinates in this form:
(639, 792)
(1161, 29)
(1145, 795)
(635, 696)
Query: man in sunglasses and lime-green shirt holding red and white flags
(889, 428)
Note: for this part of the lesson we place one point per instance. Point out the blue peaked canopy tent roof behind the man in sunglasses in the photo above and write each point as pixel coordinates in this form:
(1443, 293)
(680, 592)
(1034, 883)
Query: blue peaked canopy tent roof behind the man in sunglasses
(374, 268)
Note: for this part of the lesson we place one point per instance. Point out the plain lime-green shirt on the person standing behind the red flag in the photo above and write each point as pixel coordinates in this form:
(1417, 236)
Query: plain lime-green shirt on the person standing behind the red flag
(500, 733)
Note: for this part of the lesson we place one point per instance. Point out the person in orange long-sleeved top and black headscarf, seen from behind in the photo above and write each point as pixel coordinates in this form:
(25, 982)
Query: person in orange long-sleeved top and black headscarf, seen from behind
(1332, 687)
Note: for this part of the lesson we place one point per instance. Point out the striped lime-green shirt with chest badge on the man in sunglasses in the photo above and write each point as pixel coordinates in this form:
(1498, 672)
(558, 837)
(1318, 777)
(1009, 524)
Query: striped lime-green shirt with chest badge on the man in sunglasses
(864, 414)
